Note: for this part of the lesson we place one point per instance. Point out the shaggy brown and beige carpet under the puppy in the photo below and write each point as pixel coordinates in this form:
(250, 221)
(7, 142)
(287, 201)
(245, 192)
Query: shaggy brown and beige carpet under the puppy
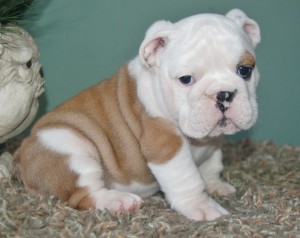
(266, 204)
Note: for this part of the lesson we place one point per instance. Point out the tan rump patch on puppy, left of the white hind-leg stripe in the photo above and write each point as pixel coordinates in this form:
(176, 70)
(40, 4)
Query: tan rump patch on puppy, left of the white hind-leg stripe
(44, 171)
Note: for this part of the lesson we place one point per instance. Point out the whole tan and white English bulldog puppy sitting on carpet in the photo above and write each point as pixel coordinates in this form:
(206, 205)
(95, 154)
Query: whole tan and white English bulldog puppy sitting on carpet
(155, 125)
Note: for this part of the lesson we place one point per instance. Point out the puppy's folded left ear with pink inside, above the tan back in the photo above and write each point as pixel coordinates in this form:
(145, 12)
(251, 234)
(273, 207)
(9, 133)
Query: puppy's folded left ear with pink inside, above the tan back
(155, 41)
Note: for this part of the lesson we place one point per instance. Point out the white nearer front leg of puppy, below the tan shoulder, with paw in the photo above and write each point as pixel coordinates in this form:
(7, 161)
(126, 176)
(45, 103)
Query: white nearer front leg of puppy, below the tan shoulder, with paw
(184, 187)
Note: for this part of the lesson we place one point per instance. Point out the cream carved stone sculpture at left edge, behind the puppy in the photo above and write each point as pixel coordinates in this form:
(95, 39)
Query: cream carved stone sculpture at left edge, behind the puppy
(21, 83)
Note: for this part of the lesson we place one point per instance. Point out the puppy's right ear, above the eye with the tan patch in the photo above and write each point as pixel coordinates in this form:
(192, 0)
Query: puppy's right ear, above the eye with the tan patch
(248, 25)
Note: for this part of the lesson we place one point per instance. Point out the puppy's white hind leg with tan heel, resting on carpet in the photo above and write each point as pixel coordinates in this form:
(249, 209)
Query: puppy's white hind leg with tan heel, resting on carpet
(84, 161)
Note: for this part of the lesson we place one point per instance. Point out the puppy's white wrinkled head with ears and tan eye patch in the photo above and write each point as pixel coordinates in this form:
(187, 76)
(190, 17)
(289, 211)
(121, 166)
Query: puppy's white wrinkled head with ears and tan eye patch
(206, 71)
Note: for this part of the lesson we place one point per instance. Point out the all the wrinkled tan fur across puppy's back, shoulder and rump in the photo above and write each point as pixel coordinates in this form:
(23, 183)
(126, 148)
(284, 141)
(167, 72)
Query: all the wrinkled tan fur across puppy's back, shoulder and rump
(110, 116)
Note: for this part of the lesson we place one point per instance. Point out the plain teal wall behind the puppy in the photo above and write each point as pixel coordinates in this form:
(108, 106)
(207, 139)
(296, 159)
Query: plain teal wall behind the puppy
(82, 42)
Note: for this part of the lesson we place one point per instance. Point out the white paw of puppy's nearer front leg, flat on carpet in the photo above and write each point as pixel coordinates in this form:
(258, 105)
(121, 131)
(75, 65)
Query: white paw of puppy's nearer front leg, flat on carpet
(207, 210)
